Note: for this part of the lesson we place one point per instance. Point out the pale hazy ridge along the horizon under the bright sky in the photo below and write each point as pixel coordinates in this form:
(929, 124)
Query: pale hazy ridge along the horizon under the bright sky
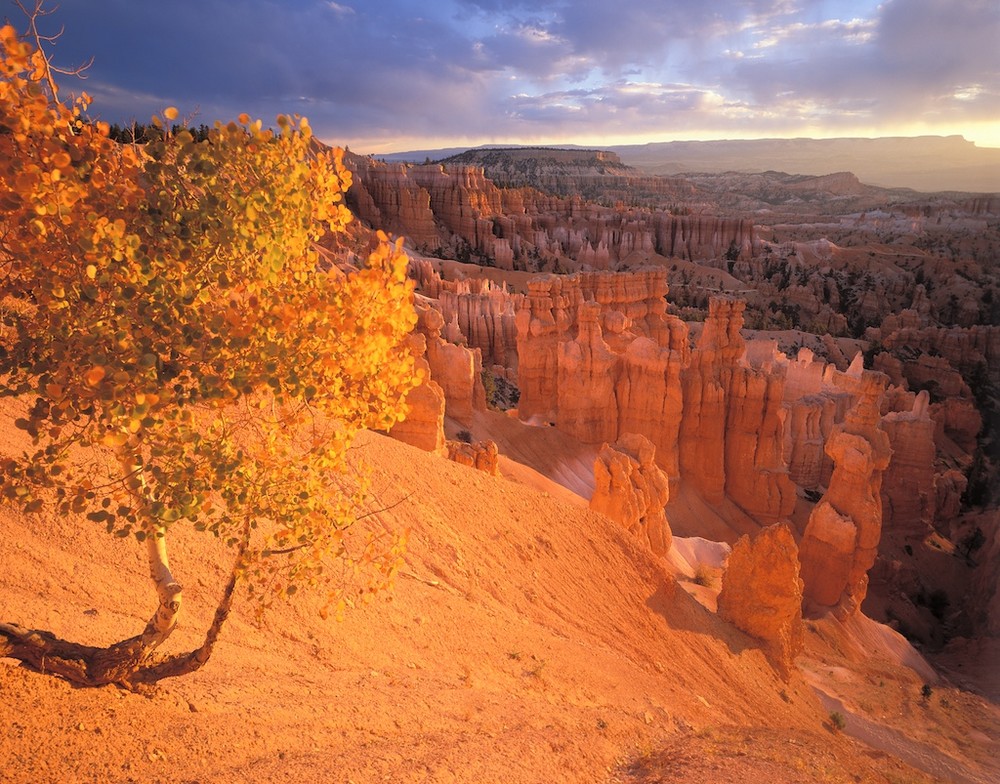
(923, 163)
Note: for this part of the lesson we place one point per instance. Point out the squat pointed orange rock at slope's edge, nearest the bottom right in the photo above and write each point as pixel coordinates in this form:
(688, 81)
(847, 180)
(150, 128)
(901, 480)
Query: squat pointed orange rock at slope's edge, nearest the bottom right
(762, 593)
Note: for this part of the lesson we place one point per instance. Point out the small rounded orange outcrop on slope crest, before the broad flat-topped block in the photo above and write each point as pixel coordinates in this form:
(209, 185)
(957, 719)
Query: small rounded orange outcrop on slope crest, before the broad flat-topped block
(632, 490)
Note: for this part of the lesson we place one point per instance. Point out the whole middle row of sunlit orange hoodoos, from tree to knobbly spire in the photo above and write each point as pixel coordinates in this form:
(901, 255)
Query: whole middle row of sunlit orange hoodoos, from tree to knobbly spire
(598, 357)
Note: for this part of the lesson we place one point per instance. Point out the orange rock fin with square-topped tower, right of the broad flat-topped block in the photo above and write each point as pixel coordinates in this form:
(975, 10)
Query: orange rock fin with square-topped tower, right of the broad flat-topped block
(731, 437)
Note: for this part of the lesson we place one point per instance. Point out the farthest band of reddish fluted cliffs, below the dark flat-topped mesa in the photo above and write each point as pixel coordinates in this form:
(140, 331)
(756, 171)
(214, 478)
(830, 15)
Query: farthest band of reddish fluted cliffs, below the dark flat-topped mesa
(458, 209)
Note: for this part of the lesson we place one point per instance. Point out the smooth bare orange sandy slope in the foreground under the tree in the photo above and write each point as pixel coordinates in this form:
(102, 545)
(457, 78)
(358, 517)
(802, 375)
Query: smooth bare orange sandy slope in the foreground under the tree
(529, 640)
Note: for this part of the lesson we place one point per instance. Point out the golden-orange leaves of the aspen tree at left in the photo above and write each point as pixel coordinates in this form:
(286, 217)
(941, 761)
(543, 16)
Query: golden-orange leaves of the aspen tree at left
(164, 313)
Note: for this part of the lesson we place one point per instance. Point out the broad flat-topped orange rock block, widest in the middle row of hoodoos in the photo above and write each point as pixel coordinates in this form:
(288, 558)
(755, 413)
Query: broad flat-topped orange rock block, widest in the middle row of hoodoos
(599, 356)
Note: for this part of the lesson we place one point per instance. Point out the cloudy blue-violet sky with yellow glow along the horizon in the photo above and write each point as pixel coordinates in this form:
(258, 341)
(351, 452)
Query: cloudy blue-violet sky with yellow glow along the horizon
(385, 76)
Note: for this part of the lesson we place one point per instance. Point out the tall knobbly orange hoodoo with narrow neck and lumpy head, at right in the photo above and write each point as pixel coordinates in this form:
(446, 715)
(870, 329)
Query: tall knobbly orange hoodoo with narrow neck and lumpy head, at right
(841, 539)
